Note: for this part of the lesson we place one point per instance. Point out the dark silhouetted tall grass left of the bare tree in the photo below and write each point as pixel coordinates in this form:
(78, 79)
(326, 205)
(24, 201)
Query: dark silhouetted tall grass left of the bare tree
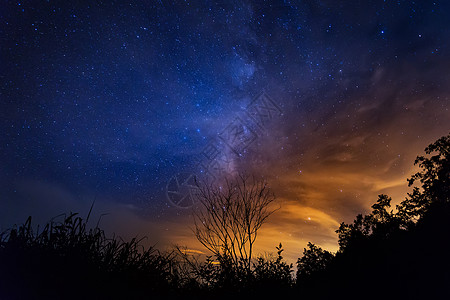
(67, 259)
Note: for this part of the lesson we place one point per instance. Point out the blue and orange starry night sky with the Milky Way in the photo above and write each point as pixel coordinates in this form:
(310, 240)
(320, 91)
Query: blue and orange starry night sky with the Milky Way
(109, 101)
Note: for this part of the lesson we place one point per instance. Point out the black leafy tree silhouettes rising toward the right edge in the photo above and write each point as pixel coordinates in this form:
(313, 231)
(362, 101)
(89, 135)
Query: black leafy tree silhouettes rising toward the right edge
(407, 247)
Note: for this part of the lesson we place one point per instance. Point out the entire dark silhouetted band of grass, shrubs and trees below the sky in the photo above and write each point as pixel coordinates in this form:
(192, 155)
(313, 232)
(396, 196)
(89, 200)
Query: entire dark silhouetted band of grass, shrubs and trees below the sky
(399, 252)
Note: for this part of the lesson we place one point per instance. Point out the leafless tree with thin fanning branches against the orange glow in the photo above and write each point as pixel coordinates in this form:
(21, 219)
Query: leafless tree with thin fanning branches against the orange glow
(230, 215)
